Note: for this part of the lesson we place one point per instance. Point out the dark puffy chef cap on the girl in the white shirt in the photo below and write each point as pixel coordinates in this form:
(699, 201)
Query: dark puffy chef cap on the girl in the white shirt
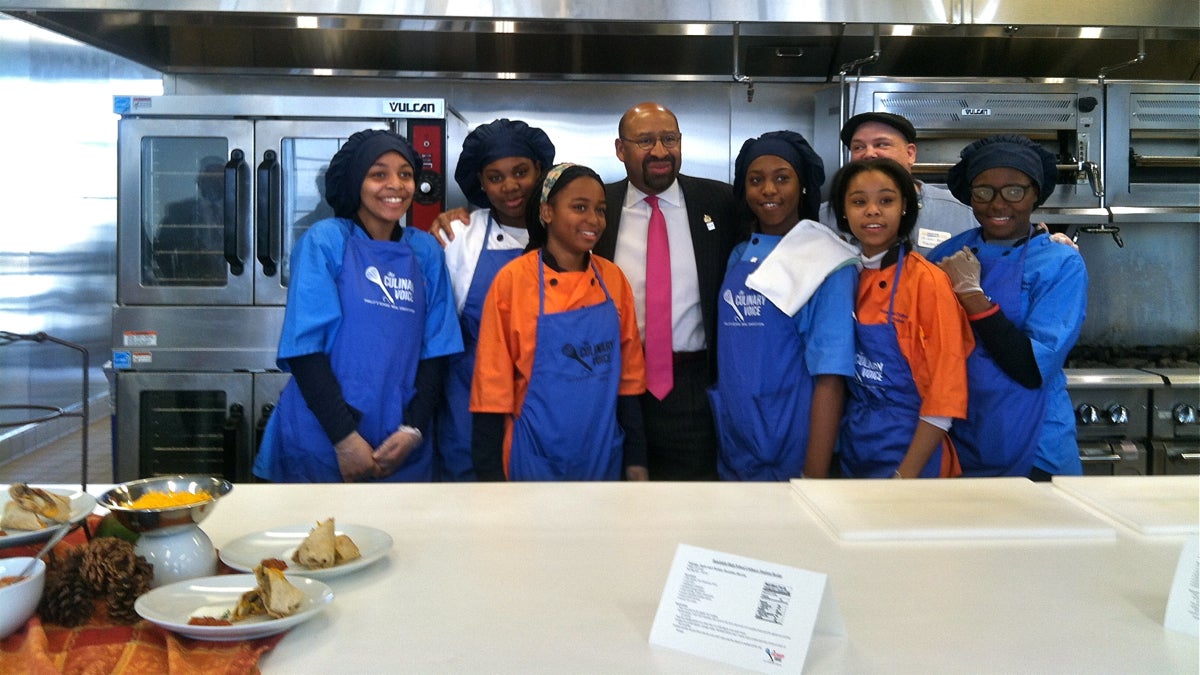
(496, 141)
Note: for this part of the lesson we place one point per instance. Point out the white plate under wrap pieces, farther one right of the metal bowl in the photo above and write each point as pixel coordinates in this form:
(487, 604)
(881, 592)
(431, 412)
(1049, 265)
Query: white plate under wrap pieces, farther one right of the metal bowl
(281, 543)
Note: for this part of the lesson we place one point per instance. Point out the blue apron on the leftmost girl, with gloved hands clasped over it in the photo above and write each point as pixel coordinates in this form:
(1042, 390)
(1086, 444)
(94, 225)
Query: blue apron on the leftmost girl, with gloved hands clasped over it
(374, 356)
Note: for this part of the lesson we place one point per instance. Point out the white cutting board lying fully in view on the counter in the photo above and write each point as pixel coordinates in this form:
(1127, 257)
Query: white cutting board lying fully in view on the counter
(950, 509)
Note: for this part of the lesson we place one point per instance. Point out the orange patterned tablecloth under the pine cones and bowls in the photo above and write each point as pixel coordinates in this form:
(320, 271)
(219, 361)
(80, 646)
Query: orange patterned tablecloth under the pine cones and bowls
(100, 647)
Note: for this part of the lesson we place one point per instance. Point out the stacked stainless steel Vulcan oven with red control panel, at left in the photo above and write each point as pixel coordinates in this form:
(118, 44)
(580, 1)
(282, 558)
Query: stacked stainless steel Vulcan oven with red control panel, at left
(213, 194)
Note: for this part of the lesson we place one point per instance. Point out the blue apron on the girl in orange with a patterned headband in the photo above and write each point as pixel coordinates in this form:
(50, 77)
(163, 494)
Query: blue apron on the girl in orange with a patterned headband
(568, 429)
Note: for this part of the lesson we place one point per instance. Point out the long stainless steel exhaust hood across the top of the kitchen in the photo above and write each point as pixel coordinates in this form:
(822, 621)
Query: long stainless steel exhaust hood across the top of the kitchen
(683, 40)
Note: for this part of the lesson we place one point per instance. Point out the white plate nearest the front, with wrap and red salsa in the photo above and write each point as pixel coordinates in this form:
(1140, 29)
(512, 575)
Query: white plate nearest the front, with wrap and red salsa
(173, 606)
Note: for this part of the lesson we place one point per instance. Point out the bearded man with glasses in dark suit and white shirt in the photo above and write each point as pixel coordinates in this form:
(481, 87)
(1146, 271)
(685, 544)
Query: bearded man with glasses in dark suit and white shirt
(703, 229)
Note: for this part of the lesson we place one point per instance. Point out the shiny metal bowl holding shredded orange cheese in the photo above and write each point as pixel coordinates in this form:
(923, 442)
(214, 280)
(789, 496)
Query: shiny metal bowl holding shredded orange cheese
(155, 519)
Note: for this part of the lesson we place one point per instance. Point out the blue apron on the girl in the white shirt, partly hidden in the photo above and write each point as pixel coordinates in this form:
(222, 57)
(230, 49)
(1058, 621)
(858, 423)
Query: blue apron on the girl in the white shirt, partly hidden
(455, 463)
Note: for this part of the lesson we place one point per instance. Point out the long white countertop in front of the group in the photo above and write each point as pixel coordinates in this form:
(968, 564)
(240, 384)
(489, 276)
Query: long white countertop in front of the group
(532, 578)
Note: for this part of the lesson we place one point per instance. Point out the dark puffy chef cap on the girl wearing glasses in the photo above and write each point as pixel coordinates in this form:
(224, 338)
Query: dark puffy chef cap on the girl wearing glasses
(1005, 151)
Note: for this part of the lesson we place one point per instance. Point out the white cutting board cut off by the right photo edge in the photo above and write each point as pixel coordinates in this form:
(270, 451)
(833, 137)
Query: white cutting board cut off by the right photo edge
(1151, 505)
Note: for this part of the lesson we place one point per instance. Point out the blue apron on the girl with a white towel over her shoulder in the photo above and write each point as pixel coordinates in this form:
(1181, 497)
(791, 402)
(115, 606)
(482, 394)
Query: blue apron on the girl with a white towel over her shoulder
(764, 393)
